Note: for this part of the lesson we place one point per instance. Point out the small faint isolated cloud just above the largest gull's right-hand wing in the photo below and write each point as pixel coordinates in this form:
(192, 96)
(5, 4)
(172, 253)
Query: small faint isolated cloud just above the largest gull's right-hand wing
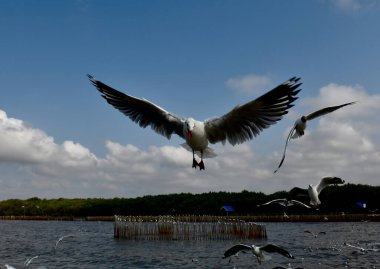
(248, 83)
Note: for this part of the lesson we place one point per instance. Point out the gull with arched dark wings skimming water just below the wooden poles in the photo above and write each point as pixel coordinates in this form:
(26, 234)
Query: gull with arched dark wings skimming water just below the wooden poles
(257, 251)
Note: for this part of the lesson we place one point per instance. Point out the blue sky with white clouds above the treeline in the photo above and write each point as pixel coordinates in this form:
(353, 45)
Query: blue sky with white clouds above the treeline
(194, 58)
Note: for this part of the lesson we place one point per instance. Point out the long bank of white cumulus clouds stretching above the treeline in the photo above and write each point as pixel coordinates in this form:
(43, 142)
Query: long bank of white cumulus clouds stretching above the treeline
(344, 144)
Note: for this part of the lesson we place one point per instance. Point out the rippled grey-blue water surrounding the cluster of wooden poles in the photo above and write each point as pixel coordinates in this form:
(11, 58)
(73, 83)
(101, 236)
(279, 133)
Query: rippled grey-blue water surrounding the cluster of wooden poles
(93, 246)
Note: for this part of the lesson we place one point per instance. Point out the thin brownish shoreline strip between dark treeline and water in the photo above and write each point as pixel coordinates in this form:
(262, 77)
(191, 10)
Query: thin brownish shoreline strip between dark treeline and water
(274, 218)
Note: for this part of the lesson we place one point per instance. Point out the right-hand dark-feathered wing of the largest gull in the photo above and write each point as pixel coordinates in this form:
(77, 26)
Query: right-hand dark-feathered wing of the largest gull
(246, 121)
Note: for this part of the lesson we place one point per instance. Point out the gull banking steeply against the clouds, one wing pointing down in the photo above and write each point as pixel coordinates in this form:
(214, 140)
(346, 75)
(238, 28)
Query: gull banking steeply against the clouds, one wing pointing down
(299, 127)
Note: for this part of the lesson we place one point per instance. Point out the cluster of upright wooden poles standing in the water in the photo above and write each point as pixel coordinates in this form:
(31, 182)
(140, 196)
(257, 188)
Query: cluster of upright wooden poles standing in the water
(186, 228)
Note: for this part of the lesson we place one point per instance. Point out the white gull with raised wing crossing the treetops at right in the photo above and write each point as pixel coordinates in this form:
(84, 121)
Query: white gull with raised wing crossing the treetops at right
(314, 190)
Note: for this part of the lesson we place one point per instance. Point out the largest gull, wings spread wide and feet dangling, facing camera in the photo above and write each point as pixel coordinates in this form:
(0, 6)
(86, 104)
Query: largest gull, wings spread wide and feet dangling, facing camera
(240, 124)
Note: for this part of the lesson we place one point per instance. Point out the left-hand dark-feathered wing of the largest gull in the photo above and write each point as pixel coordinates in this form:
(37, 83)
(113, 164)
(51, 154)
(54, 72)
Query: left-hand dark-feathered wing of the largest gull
(141, 111)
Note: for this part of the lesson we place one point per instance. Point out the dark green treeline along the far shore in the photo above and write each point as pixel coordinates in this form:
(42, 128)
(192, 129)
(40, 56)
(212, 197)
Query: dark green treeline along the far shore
(335, 199)
